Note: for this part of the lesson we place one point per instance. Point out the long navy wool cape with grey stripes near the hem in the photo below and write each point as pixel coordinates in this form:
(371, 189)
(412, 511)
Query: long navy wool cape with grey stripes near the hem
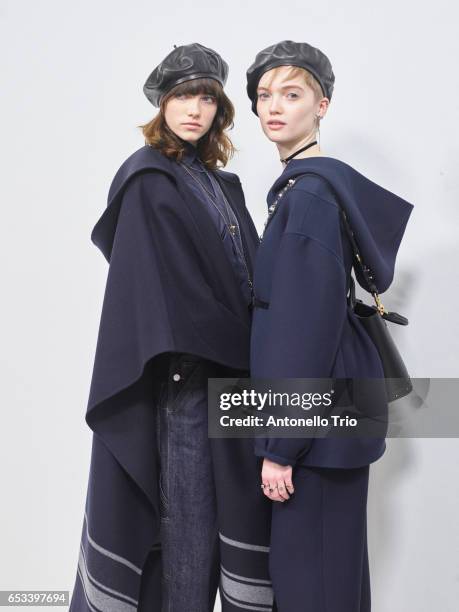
(170, 288)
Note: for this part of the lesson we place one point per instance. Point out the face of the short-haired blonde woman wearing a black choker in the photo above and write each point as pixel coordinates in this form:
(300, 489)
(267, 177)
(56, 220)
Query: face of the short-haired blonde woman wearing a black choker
(286, 107)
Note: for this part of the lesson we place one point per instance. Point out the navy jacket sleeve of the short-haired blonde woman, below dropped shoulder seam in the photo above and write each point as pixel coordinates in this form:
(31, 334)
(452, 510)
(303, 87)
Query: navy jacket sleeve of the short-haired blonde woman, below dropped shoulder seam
(305, 318)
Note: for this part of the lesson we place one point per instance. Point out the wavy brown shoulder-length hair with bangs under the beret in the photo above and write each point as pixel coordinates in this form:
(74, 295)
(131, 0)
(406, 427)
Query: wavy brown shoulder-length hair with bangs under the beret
(215, 147)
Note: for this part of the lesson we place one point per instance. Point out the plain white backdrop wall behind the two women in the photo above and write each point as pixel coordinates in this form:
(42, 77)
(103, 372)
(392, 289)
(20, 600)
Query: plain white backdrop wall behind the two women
(71, 100)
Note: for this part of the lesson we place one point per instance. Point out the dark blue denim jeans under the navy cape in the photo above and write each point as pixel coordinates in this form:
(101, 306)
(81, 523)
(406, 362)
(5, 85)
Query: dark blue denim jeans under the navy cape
(189, 534)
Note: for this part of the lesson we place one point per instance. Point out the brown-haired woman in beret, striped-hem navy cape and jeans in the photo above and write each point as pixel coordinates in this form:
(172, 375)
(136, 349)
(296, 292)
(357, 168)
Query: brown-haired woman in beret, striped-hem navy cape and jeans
(170, 513)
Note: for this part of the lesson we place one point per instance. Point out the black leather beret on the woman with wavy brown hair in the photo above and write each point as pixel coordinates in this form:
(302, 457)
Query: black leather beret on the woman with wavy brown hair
(184, 63)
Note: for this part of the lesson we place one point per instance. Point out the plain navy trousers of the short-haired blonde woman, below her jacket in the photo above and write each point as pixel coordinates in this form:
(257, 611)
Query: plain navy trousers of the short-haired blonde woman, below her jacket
(319, 555)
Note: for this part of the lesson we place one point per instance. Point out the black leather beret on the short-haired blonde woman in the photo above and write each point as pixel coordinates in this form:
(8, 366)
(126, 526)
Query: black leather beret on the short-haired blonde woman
(289, 53)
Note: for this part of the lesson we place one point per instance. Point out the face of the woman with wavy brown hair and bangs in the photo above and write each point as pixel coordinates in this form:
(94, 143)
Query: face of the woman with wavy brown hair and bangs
(190, 116)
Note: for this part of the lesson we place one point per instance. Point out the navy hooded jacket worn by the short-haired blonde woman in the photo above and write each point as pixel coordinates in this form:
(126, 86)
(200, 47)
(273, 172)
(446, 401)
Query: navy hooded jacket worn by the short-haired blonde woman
(302, 271)
